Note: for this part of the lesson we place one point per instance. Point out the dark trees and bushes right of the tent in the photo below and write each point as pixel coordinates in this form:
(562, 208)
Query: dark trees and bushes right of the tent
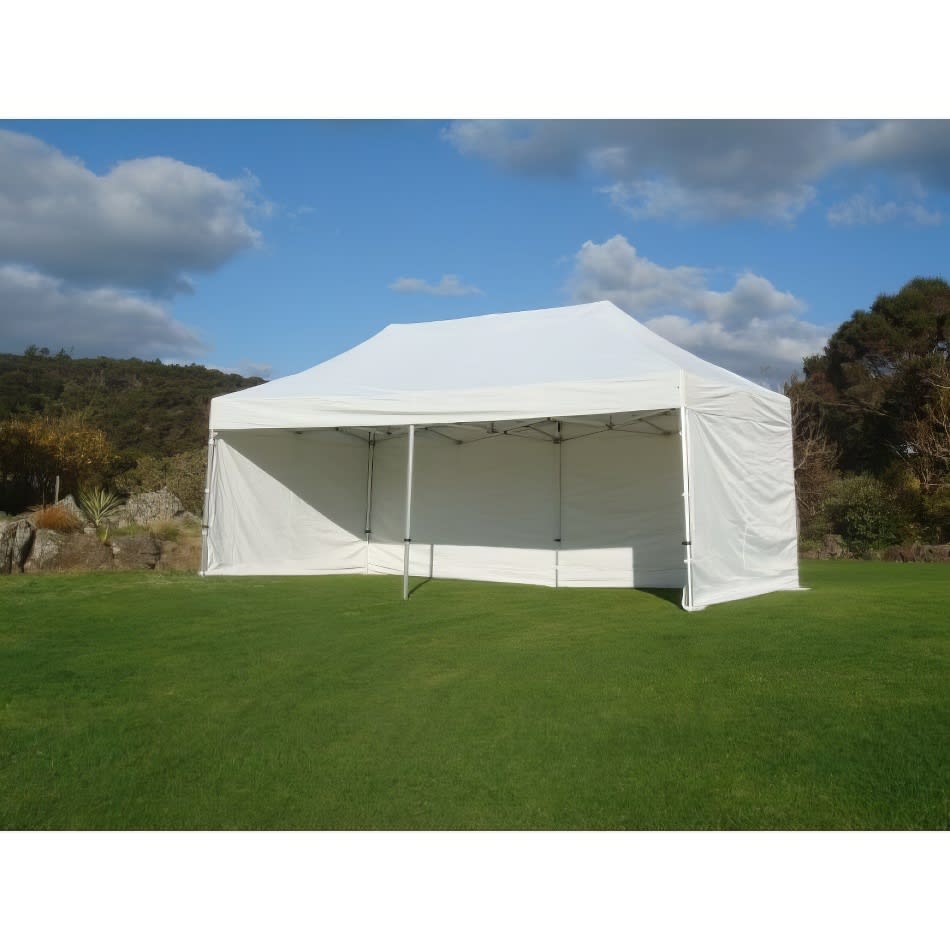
(871, 418)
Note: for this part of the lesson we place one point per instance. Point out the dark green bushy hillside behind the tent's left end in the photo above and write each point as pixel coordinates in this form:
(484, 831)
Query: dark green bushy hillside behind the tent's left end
(145, 408)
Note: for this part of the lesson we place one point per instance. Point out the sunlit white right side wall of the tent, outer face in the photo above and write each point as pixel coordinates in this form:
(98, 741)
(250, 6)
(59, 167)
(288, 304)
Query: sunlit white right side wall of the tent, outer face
(742, 486)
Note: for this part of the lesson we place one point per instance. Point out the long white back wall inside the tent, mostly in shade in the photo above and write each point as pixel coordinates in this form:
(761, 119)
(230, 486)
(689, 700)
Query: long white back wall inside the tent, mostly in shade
(488, 510)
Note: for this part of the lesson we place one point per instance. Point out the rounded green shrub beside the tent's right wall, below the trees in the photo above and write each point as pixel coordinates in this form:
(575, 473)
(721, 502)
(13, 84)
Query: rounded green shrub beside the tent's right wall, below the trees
(864, 513)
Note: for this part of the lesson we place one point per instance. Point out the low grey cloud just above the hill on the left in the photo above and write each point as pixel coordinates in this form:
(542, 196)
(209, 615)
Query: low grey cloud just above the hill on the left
(42, 310)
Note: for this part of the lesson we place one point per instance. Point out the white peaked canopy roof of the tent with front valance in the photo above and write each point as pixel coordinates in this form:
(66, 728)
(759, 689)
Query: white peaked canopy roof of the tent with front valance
(585, 359)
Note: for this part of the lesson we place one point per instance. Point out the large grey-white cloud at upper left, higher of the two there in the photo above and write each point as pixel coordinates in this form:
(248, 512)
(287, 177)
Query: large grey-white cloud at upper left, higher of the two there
(145, 224)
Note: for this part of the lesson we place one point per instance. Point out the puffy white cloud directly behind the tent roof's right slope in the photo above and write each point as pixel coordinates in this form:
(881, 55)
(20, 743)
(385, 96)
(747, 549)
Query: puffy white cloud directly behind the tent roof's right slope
(753, 329)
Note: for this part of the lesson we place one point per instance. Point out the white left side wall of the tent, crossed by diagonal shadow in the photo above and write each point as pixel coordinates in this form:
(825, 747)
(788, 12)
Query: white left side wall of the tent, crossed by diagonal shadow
(287, 504)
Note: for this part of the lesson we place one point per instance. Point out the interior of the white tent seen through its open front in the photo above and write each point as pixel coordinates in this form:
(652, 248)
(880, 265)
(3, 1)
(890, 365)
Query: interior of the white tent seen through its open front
(568, 517)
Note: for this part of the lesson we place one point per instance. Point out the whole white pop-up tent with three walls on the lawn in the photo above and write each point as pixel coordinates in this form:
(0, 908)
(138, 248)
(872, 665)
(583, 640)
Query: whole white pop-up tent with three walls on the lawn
(565, 447)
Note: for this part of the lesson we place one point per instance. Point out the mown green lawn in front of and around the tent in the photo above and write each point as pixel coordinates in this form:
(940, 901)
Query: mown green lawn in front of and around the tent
(168, 701)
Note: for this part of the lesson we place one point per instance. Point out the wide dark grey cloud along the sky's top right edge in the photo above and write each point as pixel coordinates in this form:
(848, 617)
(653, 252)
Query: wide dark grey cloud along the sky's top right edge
(701, 169)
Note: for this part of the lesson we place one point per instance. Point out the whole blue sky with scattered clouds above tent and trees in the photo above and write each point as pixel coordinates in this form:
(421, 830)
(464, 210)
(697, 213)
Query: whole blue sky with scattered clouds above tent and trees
(269, 246)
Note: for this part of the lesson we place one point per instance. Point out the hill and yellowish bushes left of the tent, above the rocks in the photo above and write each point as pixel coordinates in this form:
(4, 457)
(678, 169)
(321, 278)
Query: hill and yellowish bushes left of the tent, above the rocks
(146, 421)
